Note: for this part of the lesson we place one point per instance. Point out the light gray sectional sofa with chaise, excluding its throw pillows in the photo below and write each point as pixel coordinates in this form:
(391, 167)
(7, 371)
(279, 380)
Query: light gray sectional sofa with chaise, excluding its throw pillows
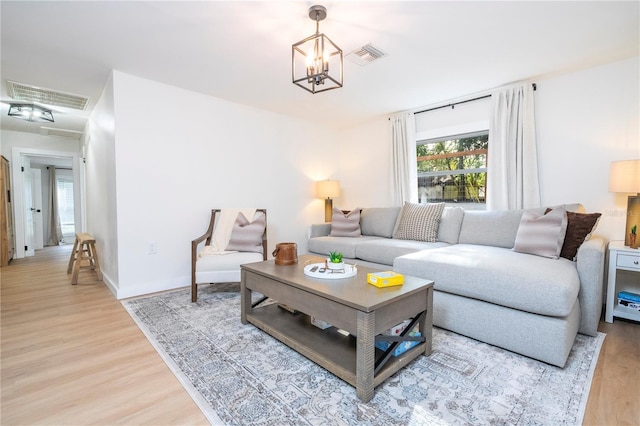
(484, 289)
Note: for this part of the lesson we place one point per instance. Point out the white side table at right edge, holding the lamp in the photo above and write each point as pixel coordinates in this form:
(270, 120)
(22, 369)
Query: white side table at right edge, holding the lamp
(624, 275)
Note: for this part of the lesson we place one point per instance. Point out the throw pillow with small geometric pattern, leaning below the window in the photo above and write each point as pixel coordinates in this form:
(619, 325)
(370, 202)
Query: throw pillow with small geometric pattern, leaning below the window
(419, 222)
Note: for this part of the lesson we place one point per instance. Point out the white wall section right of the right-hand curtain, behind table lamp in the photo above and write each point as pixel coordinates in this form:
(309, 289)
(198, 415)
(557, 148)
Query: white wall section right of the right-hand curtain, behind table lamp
(584, 121)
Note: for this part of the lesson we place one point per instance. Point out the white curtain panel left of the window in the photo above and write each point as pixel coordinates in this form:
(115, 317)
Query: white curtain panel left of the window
(403, 147)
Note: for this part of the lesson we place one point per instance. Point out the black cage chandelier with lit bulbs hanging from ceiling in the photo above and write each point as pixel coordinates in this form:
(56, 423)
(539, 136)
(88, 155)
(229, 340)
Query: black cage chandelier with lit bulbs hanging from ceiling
(315, 57)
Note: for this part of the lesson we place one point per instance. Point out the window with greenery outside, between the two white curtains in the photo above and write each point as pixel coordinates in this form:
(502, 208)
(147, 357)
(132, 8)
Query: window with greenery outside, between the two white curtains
(453, 169)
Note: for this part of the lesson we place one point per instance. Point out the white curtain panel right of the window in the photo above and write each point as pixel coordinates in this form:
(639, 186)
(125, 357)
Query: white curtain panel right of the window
(512, 169)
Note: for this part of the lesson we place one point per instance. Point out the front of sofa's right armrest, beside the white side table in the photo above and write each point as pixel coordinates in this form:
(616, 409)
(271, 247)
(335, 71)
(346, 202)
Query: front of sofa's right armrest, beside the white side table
(590, 264)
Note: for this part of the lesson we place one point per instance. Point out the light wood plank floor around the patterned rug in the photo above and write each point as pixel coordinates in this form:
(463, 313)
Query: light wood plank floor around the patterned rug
(72, 355)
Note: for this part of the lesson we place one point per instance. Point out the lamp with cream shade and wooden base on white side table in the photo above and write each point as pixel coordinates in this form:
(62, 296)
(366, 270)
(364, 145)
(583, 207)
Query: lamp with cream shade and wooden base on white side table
(624, 176)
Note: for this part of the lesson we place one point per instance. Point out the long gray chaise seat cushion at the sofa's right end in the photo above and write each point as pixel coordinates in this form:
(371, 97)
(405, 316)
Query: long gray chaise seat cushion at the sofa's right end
(529, 283)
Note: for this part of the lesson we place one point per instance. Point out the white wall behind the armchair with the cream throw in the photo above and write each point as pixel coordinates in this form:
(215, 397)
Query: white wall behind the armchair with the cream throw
(178, 154)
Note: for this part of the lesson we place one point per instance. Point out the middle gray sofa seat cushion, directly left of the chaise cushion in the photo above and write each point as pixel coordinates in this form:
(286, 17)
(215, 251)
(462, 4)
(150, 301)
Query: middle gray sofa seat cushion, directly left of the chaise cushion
(386, 250)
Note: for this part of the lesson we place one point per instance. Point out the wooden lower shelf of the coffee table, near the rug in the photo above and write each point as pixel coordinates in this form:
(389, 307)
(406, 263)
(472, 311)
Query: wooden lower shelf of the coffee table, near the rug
(328, 348)
